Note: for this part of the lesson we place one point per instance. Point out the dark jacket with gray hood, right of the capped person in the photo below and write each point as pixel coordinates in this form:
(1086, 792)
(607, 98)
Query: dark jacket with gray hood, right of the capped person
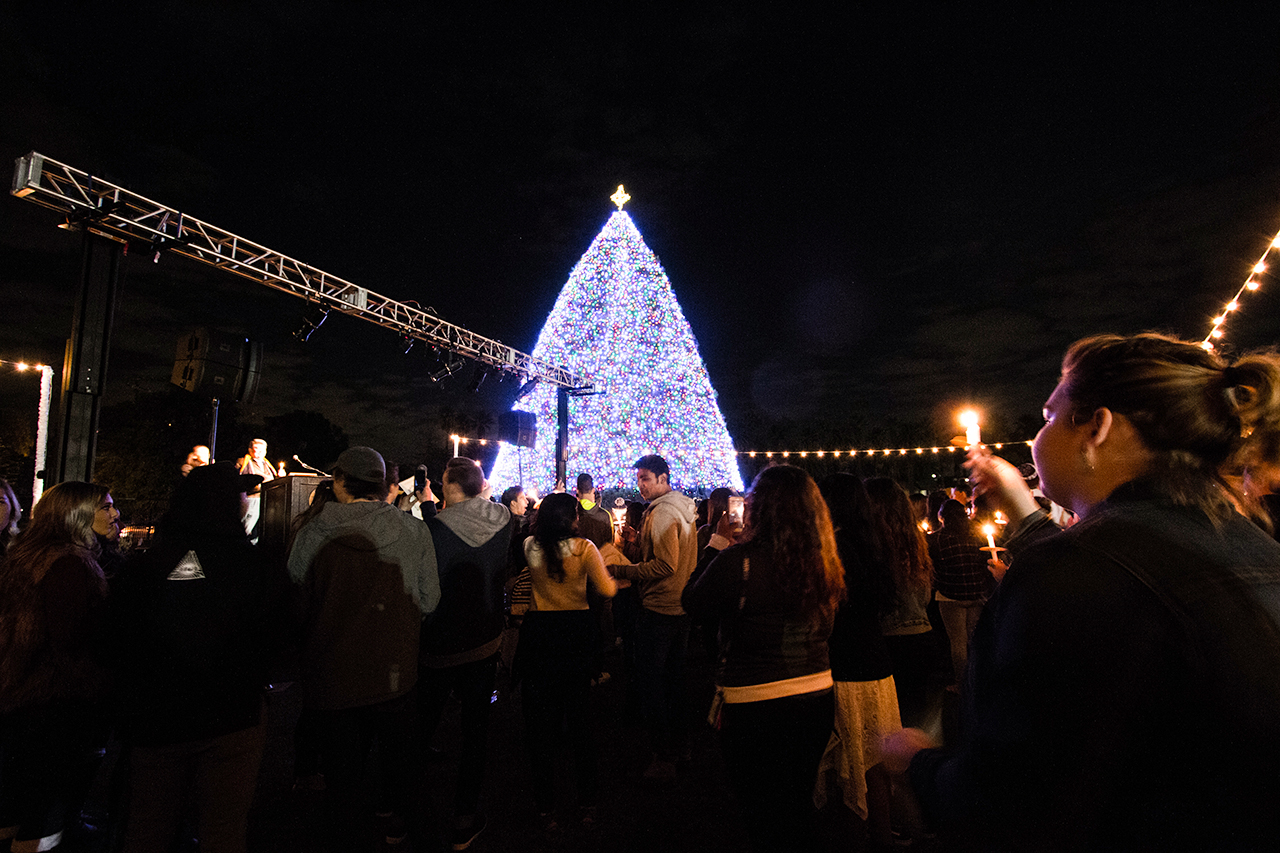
(473, 540)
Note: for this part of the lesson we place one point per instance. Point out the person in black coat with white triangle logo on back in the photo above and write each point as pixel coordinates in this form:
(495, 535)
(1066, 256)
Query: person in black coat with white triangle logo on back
(196, 621)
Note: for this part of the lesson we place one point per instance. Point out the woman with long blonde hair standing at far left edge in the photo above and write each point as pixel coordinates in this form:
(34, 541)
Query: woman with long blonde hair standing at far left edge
(52, 682)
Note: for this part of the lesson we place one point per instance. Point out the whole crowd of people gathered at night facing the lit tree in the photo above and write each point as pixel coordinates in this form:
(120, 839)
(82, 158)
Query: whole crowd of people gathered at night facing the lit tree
(1117, 658)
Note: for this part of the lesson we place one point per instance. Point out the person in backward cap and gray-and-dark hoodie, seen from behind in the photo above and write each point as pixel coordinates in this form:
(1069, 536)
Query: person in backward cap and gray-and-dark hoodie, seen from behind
(368, 576)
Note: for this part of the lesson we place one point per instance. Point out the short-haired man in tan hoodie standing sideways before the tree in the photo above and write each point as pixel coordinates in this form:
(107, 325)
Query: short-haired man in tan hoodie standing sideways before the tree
(669, 553)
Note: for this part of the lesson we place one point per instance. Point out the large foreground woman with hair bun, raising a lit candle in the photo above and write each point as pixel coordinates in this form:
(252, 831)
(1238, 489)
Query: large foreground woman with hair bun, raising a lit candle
(1124, 681)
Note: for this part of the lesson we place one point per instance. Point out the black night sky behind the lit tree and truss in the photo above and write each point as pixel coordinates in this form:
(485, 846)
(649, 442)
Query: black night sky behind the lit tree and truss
(867, 216)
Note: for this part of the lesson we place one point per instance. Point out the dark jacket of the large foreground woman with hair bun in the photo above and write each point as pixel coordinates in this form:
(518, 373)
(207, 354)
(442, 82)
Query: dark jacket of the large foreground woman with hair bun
(1123, 691)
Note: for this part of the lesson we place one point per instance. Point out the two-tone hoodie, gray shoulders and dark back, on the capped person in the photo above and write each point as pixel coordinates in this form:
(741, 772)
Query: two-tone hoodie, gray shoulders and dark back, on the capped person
(368, 574)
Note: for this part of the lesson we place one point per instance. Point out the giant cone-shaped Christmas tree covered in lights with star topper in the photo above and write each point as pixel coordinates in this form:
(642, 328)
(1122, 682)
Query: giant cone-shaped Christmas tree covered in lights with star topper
(618, 322)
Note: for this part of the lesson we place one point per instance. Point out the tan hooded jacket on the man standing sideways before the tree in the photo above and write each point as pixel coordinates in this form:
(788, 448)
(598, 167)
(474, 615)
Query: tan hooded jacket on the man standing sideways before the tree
(669, 549)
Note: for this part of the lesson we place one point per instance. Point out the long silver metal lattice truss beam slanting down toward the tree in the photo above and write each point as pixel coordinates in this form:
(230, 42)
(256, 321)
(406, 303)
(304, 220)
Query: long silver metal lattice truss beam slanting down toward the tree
(120, 215)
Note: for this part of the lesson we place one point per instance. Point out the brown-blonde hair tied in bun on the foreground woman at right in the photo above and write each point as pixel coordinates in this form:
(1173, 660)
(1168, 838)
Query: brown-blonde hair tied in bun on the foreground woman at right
(1199, 414)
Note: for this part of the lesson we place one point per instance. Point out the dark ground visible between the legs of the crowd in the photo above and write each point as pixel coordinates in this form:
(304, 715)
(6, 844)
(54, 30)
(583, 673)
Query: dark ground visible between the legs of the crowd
(694, 814)
